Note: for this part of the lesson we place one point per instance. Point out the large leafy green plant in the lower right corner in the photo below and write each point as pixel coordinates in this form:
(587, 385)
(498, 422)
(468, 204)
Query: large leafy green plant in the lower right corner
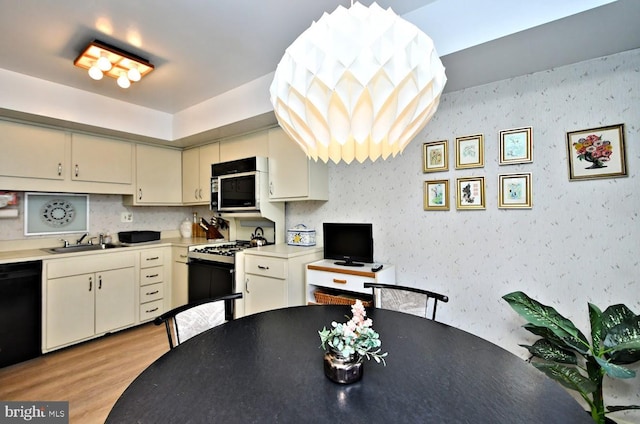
(565, 354)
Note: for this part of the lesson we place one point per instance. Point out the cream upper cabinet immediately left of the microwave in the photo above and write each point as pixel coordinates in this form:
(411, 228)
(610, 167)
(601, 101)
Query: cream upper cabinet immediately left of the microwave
(196, 173)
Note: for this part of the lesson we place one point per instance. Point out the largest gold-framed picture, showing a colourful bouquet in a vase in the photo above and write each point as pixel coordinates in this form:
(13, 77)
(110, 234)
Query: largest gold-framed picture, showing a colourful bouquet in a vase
(596, 153)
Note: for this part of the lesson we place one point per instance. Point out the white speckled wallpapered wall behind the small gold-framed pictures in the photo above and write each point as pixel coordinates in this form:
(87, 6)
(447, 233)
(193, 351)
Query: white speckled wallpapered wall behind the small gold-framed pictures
(580, 241)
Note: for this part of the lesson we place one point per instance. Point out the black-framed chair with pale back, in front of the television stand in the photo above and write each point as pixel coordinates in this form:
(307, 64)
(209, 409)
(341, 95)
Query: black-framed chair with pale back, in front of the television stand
(405, 299)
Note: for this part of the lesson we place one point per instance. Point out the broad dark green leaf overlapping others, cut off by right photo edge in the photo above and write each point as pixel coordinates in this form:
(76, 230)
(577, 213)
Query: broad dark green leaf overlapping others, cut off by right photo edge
(623, 341)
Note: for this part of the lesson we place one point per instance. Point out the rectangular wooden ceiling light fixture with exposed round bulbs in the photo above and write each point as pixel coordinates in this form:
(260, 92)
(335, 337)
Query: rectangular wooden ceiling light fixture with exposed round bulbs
(103, 59)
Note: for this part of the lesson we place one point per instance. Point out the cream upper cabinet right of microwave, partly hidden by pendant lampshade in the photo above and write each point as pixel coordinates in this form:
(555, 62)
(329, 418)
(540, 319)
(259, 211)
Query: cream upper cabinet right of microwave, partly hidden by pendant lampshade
(293, 176)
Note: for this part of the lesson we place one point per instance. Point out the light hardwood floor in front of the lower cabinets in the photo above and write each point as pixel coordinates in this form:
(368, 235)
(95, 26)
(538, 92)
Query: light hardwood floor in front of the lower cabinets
(91, 376)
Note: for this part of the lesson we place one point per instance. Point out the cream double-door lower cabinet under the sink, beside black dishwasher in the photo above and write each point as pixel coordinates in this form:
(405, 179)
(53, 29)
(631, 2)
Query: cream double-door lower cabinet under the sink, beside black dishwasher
(87, 297)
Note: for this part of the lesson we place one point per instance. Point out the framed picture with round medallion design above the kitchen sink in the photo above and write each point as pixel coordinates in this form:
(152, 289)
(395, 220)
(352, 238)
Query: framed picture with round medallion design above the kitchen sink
(52, 213)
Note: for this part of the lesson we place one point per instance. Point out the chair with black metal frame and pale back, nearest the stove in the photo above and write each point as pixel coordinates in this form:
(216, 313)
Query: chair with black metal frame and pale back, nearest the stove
(193, 318)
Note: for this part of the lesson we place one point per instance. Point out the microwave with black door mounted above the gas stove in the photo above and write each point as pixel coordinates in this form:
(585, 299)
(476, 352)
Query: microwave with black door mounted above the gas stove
(235, 185)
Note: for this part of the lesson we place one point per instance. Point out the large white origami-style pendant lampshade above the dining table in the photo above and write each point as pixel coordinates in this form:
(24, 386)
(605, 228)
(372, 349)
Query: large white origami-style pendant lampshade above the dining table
(359, 83)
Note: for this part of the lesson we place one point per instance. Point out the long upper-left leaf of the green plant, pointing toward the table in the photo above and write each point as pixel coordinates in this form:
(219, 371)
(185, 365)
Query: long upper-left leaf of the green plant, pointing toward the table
(545, 316)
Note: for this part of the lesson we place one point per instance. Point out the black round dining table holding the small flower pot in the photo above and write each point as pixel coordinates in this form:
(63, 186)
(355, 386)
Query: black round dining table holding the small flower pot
(268, 368)
